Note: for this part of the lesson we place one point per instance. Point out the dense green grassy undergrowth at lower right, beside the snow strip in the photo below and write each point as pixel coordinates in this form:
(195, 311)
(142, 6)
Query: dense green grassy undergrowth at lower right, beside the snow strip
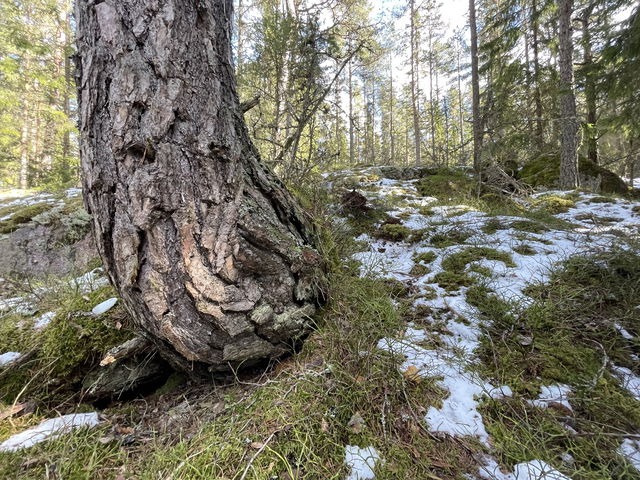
(565, 337)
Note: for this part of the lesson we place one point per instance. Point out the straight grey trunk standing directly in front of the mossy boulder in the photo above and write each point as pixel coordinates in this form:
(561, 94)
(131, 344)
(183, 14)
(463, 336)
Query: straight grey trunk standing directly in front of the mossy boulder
(569, 124)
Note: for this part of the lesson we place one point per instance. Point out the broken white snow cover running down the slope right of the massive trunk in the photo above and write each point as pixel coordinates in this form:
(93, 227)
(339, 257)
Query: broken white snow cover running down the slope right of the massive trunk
(596, 226)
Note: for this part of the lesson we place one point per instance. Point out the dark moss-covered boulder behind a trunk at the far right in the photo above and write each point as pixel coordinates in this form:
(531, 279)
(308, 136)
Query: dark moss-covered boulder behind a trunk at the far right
(545, 171)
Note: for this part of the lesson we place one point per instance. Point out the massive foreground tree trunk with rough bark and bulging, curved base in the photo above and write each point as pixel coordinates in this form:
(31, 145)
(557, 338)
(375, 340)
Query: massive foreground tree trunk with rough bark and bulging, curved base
(208, 251)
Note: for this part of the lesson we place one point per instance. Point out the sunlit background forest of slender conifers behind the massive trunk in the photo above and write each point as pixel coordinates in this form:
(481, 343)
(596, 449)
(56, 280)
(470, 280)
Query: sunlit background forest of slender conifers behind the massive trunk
(337, 83)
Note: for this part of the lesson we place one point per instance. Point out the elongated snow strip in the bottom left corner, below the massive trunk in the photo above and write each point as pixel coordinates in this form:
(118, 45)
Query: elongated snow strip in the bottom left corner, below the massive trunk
(49, 429)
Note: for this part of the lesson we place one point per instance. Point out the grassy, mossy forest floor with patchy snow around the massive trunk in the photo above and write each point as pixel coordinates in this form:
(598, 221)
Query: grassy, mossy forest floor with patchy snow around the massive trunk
(463, 338)
